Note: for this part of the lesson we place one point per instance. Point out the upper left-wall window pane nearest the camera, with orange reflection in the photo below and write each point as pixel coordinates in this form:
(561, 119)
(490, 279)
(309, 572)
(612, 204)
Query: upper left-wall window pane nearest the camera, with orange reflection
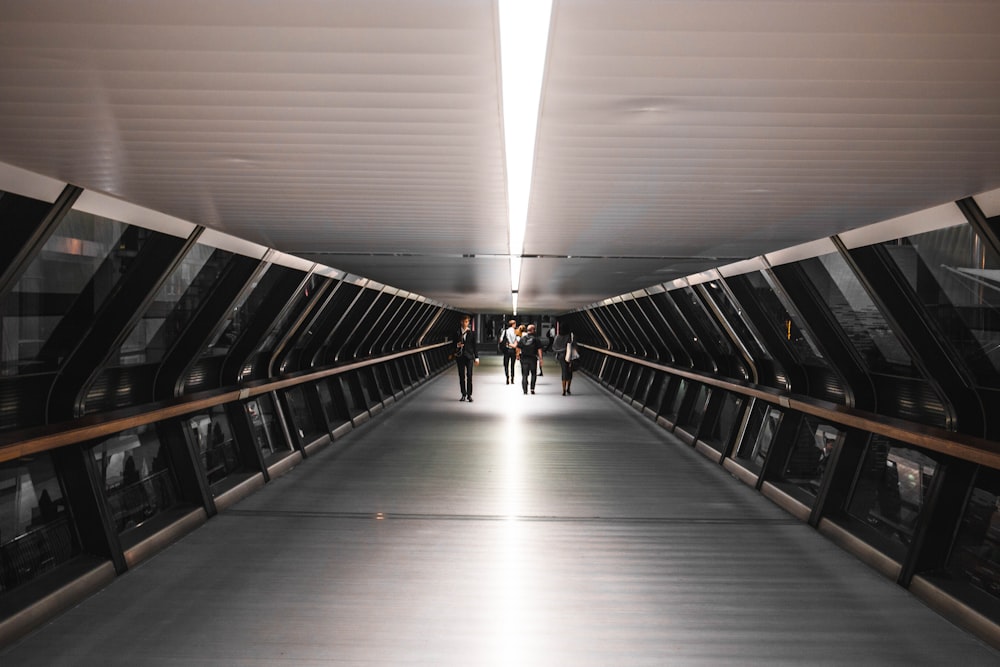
(74, 271)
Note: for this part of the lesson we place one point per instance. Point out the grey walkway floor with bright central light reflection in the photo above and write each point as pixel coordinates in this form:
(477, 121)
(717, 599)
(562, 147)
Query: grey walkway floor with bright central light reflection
(516, 530)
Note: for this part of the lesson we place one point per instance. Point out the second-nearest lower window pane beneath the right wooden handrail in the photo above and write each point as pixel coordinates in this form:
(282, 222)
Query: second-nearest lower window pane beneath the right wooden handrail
(891, 487)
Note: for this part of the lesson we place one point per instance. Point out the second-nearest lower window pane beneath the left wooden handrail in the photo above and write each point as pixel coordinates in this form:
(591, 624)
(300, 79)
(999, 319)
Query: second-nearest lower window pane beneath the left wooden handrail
(137, 479)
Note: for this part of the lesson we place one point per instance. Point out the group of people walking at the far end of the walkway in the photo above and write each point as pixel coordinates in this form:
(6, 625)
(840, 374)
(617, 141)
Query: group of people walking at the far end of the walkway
(519, 345)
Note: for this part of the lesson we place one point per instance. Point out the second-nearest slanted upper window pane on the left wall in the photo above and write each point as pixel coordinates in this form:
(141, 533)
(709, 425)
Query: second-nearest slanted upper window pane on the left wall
(175, 303)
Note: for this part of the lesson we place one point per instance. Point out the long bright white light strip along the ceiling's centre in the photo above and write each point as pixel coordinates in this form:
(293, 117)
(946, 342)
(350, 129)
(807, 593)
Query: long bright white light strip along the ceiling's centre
(524, 35)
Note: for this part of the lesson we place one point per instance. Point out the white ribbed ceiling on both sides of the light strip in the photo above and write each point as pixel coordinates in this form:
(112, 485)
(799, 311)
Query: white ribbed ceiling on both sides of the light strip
(365, 134)
